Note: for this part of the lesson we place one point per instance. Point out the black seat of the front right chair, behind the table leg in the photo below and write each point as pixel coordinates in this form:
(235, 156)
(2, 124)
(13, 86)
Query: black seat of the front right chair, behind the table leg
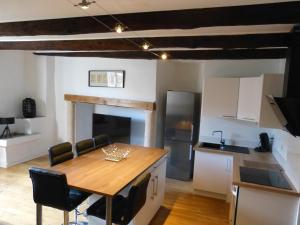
(119, 208)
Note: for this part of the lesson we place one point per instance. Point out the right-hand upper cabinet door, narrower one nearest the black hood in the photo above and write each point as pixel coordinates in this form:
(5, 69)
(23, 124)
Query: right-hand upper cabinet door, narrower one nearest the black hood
(250, 95)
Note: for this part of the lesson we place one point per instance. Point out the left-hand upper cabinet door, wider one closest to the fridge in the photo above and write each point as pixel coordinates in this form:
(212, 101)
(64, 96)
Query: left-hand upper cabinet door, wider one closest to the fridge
(220, 97)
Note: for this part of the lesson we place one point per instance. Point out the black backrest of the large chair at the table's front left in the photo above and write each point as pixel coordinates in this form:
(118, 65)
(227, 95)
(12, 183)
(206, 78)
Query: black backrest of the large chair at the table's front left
(49, 188)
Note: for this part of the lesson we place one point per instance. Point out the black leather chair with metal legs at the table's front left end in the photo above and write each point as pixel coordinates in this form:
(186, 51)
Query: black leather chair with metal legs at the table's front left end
(51, 189)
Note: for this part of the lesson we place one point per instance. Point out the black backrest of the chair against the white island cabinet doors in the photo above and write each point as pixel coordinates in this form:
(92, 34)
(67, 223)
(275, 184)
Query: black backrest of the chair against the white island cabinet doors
(137, 196)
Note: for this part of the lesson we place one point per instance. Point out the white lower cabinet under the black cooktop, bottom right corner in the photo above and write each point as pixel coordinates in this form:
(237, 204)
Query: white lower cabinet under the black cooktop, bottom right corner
(266, 208)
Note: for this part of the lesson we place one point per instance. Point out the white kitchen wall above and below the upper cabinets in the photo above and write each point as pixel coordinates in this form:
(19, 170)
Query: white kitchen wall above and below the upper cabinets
(236, 132)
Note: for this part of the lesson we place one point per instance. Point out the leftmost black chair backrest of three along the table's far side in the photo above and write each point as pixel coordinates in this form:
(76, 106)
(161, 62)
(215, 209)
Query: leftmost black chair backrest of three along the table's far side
(60, 153)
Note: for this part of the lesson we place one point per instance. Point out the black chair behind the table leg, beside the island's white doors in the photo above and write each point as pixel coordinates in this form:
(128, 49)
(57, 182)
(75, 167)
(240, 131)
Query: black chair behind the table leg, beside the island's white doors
(124, 209)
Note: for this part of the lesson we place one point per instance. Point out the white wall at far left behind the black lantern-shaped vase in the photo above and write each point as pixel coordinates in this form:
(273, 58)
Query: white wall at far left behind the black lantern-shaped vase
(22, 75)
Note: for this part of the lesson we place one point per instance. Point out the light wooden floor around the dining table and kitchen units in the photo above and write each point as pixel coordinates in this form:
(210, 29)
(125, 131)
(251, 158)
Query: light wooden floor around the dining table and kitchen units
(17, 206)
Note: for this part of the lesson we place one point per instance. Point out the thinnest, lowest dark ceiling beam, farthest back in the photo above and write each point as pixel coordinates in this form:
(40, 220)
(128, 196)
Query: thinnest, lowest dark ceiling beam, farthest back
(192, 55)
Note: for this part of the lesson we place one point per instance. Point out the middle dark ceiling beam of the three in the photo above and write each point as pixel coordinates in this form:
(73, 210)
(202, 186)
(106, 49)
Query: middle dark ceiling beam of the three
(191, 42)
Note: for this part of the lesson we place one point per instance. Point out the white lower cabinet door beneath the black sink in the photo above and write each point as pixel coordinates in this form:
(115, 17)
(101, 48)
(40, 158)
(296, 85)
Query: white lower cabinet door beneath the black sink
(212, 172)
